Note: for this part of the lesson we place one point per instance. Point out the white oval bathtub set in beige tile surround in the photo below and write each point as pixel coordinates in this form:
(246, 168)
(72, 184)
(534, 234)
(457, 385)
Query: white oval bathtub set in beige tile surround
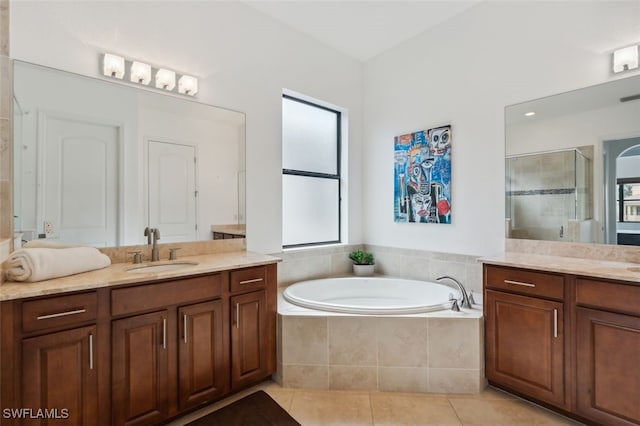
(370, 295)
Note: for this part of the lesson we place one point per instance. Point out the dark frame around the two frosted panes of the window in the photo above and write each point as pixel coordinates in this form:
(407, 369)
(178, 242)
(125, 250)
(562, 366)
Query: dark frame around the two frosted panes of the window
(306, 173)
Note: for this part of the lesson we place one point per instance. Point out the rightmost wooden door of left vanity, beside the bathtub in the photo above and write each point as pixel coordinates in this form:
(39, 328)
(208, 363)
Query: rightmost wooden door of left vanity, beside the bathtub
(248, 334)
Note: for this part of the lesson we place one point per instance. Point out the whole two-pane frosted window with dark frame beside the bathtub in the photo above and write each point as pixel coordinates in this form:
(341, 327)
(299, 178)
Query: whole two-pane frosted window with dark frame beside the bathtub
(311, 176)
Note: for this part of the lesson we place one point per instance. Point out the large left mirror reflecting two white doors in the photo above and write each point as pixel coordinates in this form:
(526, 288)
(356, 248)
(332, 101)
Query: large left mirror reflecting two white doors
(96, 161)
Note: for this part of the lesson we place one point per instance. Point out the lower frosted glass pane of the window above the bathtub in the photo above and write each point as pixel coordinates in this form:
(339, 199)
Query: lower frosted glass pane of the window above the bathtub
(310, 207)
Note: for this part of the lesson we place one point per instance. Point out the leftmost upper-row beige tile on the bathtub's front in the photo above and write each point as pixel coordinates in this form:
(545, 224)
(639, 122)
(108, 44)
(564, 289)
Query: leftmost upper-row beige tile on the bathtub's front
(304, 340)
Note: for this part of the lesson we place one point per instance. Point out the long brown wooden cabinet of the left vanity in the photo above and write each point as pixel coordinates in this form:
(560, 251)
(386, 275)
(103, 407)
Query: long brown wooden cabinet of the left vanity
(138, 354)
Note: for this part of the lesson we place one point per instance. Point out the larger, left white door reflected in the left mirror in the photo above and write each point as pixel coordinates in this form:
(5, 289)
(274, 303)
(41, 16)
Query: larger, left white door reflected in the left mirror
(79, 186)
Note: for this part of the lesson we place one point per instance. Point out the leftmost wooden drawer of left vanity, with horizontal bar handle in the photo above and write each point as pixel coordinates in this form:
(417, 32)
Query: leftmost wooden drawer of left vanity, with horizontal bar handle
(58, 311)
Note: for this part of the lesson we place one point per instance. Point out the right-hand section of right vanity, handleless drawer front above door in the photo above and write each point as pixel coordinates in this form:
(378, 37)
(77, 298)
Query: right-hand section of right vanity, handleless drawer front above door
(608, 352)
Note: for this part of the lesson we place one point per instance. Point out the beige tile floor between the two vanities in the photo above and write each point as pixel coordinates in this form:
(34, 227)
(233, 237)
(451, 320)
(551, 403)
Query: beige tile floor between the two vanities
(492, 407)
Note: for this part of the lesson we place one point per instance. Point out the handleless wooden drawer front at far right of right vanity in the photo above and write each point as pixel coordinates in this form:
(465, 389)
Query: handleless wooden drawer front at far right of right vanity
(607, 295)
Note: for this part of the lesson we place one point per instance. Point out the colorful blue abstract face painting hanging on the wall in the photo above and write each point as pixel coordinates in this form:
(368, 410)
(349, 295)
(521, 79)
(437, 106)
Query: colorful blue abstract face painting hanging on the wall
(422, 188)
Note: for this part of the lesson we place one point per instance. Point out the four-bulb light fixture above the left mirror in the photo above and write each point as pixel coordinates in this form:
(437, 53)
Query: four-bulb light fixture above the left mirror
(115, 66)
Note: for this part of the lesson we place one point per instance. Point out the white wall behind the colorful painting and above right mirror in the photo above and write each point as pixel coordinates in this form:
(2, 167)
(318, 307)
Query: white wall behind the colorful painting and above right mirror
(464, 72)
